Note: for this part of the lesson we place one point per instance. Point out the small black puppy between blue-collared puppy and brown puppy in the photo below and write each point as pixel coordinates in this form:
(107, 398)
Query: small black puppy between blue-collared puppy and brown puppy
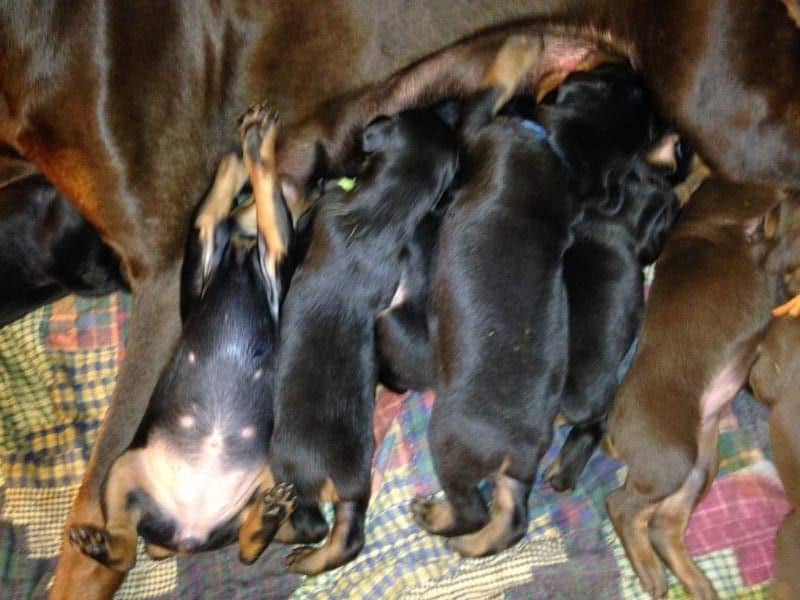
(604, 279)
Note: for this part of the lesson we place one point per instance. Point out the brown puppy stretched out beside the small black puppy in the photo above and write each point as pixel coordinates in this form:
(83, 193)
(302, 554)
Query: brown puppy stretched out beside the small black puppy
(708, 308)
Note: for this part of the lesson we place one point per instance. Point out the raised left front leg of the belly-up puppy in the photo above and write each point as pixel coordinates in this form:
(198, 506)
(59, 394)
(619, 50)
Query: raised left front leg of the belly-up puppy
(211, 231)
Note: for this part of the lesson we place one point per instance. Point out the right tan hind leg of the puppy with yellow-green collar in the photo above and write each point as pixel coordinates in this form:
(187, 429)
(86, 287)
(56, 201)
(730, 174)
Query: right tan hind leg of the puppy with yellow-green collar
(343, 544)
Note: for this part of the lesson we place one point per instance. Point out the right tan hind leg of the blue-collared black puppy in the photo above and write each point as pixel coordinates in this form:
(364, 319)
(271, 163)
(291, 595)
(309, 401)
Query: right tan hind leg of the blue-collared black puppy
(508, 522)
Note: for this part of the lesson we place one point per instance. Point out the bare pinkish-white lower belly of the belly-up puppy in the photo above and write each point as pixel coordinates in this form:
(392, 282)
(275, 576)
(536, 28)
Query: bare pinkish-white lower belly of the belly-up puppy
(200, 491)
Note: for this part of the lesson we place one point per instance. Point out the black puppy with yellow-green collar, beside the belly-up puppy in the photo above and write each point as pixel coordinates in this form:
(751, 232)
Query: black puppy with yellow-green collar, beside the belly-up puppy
(327, 368)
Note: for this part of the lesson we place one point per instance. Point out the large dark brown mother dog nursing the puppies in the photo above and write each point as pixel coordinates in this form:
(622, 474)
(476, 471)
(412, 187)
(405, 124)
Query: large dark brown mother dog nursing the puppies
(128, 107)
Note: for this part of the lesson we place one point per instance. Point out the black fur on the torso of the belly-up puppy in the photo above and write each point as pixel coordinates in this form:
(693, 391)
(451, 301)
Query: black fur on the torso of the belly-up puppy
(221, 372)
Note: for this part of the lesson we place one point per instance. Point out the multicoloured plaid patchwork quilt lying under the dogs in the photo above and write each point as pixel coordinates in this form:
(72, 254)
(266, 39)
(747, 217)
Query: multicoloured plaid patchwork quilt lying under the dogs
(57, 371)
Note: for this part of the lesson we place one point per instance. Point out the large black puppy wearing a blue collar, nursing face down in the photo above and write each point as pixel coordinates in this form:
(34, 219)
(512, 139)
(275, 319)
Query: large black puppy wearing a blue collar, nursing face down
(501, 342)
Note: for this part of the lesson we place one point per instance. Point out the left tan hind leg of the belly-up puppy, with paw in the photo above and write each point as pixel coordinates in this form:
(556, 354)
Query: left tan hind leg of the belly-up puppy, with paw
(115, 545)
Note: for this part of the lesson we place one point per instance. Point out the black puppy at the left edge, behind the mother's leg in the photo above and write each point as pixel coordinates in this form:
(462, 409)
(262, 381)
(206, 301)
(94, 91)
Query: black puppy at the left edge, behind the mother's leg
(49, 250)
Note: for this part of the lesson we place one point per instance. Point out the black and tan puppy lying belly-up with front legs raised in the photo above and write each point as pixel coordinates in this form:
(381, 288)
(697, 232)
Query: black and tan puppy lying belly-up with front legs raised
(194, 475)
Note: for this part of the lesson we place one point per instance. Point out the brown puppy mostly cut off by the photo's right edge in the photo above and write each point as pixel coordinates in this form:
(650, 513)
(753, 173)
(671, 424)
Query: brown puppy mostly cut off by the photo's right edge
(774, 379)
